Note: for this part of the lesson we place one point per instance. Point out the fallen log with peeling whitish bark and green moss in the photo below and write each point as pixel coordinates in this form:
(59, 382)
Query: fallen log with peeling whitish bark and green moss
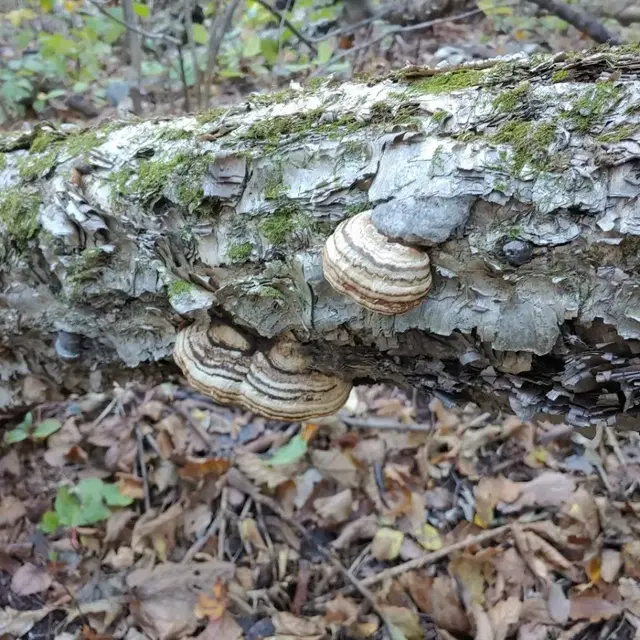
(519, 176)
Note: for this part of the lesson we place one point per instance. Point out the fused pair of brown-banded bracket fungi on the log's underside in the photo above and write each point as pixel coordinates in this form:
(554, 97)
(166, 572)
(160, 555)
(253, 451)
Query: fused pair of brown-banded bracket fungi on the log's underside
(279, 383)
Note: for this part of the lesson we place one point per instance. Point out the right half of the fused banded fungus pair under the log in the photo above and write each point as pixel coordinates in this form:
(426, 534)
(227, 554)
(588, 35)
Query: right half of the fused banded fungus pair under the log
(280, 386)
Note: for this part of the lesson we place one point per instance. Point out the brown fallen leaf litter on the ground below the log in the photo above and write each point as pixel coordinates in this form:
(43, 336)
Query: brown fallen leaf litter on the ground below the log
(154, 513)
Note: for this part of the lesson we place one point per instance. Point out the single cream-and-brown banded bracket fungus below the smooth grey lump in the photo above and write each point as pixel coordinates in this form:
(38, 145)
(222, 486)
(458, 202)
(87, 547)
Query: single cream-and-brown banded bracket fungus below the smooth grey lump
(380, 275)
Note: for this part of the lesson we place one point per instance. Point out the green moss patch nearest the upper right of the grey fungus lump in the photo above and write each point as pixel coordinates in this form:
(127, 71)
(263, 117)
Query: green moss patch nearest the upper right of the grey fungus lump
(530, 143)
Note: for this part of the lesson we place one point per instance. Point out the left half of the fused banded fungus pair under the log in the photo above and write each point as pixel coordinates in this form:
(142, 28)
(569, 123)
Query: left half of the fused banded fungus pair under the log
(215, 359)
